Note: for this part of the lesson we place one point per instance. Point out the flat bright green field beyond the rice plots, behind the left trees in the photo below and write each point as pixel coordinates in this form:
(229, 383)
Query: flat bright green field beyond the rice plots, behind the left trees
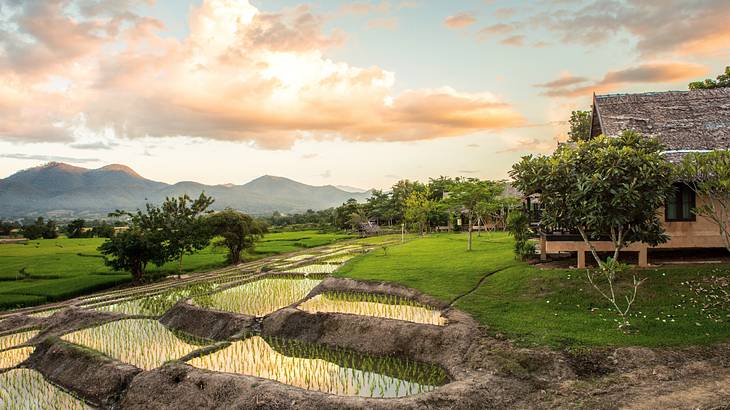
(55, 269)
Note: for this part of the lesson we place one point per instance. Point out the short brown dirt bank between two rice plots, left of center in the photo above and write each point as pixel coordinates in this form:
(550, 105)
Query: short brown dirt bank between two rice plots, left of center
(206, 324)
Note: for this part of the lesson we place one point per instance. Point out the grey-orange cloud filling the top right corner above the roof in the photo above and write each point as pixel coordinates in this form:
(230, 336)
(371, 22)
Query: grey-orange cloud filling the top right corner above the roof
(671, 26)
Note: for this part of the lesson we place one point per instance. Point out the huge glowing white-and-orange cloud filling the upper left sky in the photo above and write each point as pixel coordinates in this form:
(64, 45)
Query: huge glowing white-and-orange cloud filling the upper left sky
(240, 75)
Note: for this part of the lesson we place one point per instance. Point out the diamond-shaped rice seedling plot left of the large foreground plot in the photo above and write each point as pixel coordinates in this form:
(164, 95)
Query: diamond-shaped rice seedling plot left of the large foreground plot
(144, 343)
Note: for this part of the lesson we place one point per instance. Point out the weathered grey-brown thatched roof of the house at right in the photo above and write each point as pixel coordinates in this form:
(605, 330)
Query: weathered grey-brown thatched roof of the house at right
(684, 121)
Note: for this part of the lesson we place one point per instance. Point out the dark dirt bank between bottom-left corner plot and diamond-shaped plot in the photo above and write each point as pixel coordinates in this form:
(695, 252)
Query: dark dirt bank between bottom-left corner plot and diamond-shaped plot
(94, 377)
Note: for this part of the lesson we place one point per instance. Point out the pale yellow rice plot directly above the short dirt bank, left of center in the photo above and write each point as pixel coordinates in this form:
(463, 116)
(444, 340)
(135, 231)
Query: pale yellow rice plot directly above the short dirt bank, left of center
(260, 297)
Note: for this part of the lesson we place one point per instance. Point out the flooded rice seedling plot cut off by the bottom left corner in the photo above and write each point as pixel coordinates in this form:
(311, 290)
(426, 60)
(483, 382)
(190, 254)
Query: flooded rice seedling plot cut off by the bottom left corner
(26, 389)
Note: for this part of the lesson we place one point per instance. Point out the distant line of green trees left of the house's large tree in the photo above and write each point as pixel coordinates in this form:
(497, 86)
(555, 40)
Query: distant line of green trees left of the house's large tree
(455, 203)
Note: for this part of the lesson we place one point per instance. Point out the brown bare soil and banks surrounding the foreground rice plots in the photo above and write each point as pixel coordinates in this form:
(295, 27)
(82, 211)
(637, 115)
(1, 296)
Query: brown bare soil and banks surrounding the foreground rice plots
(485, 371)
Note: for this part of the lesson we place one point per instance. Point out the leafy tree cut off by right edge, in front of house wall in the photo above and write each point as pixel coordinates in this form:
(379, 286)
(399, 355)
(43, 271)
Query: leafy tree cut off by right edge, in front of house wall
(708, 175)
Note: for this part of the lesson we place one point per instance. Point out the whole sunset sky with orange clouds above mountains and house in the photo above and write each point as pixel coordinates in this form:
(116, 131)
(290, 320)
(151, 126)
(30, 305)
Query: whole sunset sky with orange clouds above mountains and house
(359, 93)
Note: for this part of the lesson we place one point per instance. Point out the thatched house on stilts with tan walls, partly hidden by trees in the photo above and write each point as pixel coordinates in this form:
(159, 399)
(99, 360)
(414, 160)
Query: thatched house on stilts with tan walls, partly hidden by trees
(684, 121)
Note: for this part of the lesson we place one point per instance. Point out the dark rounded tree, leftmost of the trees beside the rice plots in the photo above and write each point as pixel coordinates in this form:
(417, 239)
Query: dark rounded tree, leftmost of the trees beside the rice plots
(132, 250)
